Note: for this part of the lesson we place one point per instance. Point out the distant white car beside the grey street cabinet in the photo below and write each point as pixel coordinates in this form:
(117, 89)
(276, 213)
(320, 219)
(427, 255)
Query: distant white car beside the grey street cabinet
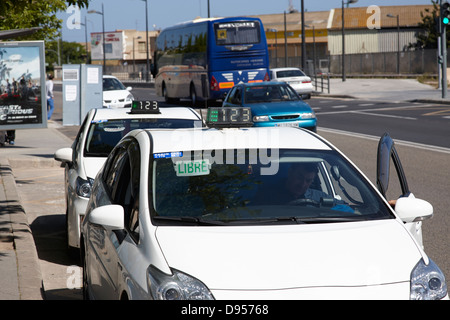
(115, 94)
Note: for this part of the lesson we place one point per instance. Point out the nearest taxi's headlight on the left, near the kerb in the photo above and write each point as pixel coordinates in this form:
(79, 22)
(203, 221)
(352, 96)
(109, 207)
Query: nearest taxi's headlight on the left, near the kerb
(178, 286)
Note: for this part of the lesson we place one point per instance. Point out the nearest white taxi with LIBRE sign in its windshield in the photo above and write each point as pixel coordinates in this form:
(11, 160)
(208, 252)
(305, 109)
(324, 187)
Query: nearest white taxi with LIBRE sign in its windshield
(192, 214)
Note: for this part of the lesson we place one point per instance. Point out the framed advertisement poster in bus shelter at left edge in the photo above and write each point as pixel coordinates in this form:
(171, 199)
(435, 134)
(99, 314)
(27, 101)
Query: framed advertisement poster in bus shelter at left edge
(22, 85)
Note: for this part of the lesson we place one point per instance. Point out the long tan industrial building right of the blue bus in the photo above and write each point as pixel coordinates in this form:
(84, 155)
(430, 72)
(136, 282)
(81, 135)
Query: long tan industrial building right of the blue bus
(373, 39)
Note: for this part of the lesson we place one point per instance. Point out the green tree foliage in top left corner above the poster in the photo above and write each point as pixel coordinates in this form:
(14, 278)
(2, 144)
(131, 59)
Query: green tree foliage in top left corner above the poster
(19, 14)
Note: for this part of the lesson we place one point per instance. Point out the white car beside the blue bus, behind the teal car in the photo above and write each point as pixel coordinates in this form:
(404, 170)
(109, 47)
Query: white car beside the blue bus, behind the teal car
(296, 78)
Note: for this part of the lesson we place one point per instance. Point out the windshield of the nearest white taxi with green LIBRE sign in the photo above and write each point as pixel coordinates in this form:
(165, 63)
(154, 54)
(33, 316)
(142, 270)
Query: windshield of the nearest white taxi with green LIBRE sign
(229, 187)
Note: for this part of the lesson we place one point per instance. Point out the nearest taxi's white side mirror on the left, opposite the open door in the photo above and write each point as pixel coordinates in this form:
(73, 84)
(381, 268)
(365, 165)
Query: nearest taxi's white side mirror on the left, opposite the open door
(109, 216)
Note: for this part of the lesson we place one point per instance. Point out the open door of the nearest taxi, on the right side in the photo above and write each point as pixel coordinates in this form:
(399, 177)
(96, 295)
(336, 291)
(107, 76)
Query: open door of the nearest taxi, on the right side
(388, 164)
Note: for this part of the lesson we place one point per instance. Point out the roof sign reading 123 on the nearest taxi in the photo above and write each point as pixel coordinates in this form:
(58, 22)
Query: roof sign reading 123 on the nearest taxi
(229, 117)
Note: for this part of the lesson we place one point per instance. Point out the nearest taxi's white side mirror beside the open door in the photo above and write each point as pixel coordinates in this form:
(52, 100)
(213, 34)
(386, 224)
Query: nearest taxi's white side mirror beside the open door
(411, 209)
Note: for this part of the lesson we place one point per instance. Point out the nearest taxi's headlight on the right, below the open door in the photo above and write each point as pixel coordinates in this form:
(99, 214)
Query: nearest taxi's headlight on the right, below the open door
(427, 282)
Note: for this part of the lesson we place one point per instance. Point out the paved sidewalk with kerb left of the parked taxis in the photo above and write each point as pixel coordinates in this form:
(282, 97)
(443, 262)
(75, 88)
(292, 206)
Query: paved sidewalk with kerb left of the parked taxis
(19, 264)
